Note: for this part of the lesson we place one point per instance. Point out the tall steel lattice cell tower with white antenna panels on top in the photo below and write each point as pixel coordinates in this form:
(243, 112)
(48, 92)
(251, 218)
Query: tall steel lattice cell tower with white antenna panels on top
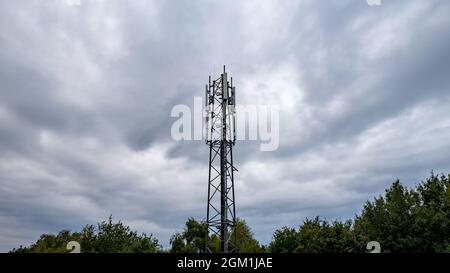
(220, 136)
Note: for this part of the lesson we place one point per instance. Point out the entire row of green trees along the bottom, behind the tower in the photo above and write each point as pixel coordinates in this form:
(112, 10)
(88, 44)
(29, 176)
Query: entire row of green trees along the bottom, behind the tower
(403, 220)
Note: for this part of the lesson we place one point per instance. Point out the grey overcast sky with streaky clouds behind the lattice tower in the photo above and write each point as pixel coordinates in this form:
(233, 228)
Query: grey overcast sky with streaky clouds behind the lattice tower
(86, 93)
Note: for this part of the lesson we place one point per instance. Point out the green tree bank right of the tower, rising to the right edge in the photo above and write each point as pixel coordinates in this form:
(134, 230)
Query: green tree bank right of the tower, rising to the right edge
(403, 220)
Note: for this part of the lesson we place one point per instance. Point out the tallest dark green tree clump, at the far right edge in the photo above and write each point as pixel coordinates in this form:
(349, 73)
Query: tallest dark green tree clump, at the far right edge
(416, 220)
